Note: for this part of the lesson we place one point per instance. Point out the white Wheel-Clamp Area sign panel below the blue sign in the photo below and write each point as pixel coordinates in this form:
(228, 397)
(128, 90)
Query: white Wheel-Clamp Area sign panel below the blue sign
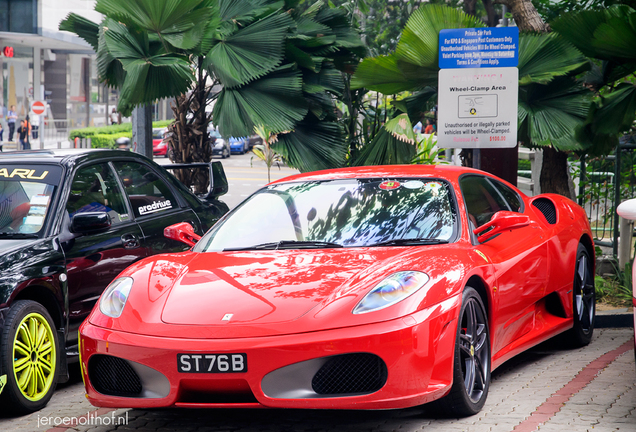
(477, 108)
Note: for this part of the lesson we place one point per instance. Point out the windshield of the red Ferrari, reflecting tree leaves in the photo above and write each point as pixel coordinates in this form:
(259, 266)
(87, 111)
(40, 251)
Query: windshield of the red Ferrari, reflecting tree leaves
(347, 213)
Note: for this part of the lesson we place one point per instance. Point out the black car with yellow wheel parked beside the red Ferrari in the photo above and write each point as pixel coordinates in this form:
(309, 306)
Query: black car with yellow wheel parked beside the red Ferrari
(70, 221)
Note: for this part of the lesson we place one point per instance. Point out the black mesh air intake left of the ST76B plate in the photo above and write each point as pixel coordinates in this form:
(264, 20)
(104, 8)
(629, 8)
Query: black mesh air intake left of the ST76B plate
(113, 376)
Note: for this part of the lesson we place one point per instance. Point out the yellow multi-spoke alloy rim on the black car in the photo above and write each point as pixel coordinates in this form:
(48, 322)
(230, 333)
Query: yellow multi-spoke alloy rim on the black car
(34, 358)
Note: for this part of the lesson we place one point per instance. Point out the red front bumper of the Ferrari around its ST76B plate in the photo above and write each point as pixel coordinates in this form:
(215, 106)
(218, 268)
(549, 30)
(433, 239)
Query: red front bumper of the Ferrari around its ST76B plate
(417, 350)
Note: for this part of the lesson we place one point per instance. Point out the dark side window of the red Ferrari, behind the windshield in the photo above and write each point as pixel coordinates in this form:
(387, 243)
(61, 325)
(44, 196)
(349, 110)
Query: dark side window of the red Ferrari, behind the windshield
(481, 198)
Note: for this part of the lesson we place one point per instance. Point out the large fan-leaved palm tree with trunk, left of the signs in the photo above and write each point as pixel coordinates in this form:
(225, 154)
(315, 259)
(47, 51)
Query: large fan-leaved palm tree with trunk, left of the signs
(275, 67)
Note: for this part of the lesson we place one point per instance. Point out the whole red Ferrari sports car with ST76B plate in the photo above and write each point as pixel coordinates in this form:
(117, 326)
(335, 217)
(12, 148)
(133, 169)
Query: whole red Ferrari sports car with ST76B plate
(371, 288)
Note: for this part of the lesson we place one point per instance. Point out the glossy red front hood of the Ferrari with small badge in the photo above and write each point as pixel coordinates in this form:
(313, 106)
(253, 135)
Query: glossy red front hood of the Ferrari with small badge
(257, 288)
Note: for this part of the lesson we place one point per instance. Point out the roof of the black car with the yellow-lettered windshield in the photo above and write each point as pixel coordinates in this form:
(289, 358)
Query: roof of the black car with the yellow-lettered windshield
(66, 157)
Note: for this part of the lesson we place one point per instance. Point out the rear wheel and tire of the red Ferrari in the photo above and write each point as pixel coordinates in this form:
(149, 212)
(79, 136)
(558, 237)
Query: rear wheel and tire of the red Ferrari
(584, 300)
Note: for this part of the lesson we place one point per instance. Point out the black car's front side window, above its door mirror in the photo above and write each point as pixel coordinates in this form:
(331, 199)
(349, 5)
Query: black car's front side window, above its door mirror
(94, 189)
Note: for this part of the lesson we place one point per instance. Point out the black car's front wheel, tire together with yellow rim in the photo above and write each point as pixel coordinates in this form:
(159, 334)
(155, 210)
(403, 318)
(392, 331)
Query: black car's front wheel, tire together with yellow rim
(44, 357)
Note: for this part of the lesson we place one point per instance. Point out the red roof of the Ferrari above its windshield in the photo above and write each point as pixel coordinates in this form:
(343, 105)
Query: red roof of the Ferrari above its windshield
(449, 172)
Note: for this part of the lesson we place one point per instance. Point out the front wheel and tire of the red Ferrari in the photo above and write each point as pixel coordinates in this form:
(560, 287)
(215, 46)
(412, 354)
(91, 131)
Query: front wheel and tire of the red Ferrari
(471, 363)
